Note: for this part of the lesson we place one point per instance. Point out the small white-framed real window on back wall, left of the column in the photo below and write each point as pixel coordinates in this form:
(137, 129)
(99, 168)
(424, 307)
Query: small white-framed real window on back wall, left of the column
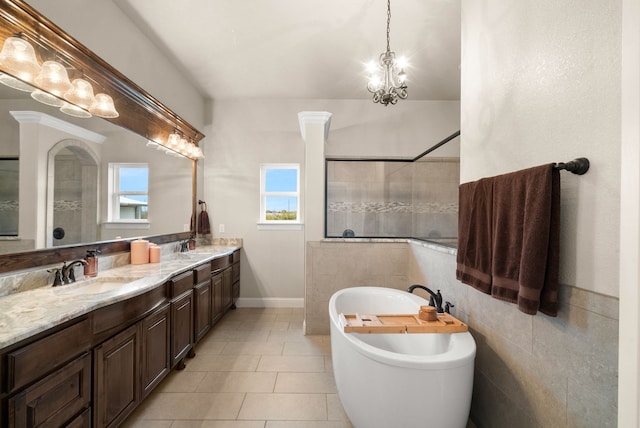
(280, 193)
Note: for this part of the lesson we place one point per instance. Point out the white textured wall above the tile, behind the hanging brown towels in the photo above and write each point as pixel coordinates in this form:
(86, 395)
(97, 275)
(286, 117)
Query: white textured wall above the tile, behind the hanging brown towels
(540, 84)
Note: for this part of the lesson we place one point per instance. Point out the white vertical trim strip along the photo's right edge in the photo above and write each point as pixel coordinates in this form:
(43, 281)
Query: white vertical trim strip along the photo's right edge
(629, 324)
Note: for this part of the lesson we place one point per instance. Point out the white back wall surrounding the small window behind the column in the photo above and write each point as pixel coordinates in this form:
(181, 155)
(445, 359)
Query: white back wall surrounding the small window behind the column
(246, 133)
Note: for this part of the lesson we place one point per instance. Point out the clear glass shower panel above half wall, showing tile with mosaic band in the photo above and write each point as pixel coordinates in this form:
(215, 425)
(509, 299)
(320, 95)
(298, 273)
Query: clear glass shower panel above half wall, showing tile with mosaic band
(393, 198)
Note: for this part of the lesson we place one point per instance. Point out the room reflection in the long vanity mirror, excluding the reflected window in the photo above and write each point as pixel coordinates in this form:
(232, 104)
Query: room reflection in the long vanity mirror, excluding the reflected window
(63, 181)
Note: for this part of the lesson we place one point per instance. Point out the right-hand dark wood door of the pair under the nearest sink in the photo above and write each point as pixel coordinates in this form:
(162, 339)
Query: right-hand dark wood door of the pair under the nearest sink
(155, 342)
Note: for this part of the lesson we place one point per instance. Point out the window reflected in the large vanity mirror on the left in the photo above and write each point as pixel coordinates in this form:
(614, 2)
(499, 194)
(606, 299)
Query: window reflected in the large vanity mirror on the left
(129, 192)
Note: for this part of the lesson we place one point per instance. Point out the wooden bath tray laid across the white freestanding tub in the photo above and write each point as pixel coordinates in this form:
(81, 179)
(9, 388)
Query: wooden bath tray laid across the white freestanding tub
(401, 323)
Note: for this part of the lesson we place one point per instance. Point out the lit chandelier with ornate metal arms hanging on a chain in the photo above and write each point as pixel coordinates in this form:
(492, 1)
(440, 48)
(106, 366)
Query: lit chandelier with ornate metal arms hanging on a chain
(387, 78)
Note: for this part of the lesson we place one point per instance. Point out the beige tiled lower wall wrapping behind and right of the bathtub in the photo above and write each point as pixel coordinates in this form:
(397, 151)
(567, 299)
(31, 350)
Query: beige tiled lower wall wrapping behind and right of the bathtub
(531, 371)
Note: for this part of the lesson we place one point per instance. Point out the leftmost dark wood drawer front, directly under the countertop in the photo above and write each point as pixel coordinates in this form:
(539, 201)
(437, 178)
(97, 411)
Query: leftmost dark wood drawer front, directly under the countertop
(33, 361)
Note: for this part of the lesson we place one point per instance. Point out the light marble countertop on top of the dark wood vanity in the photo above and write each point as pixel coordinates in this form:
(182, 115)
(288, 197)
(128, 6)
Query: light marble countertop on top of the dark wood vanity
(25, 314)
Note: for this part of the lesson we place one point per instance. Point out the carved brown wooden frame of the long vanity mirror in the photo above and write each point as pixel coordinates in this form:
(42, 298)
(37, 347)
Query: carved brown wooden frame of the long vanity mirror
(139, 112)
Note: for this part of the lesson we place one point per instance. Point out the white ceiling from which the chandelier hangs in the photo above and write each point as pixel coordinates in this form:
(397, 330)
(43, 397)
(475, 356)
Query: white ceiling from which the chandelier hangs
(304, 48)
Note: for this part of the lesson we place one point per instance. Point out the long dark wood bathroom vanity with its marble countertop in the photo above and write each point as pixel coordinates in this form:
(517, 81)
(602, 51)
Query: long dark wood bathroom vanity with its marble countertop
(86, 355)
